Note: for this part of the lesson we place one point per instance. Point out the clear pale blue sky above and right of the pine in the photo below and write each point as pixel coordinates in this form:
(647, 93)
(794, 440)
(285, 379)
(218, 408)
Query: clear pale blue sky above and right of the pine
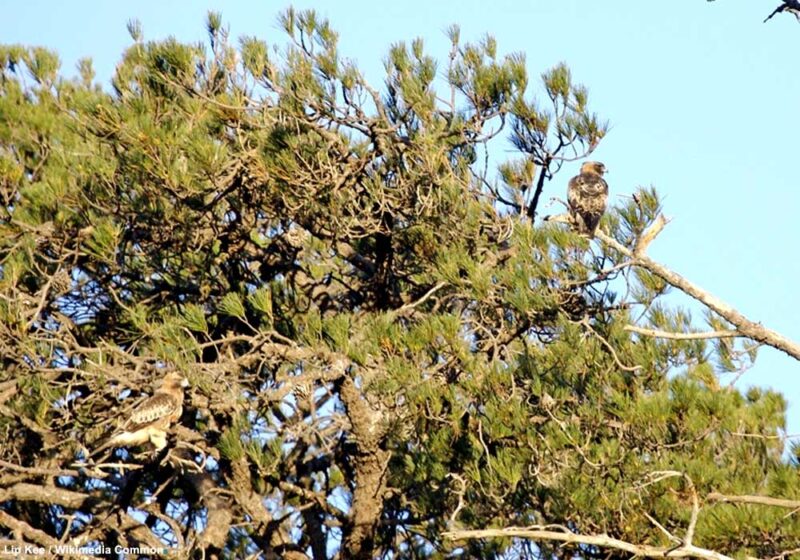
(703, 100)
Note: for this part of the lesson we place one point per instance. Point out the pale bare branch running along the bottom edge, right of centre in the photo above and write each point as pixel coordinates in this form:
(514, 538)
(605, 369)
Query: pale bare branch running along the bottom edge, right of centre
(541, 533)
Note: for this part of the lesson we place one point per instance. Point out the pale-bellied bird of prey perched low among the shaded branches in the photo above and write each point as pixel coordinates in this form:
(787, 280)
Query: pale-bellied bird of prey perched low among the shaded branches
(151, 419)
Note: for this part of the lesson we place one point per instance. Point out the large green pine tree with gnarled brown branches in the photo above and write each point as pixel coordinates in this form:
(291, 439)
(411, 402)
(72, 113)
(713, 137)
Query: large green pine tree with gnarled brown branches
(390, 356)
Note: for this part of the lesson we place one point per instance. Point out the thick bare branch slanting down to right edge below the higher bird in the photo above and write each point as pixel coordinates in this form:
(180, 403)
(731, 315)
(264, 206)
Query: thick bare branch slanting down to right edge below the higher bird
(745, 327)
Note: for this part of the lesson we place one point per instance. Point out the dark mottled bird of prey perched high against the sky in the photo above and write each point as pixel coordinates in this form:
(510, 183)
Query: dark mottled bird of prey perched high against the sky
(587, 196)
